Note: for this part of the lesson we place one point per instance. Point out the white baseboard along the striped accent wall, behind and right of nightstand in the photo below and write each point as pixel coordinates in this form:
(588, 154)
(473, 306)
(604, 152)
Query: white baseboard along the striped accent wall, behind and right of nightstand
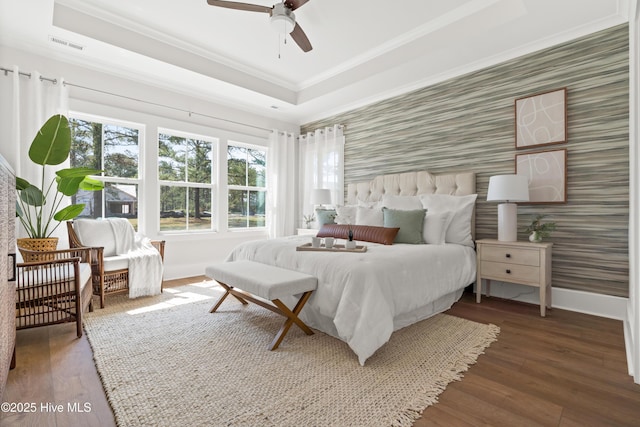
(567, 299)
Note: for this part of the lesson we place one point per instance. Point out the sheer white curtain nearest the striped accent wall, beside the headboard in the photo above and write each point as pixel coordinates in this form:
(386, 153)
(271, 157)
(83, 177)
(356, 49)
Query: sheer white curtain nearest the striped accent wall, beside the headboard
(321, 166)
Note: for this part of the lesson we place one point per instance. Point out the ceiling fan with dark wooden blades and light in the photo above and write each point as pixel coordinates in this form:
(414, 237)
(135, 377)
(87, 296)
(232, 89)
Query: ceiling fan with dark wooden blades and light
(282, 17)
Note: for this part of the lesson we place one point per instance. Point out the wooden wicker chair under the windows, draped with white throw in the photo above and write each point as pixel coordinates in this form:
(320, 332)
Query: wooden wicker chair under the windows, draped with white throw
(107, 280)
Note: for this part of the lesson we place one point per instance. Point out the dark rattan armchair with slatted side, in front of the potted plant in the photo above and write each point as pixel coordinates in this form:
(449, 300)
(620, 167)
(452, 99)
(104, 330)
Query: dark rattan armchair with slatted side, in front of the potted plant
(54, 287)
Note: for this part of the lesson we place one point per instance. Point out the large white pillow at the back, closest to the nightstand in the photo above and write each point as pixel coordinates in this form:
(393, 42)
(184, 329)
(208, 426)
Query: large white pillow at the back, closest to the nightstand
(459, 230)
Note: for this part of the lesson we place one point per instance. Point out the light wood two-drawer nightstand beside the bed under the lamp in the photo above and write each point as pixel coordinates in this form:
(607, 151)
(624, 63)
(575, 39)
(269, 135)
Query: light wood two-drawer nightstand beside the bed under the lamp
(523, 263)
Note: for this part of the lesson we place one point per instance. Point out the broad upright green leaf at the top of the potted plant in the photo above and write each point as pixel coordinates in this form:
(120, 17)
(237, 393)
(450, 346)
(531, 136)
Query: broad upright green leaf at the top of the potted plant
(52, 143)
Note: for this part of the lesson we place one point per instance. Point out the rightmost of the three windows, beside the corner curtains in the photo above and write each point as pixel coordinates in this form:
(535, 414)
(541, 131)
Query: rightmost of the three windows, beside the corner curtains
(246, 179)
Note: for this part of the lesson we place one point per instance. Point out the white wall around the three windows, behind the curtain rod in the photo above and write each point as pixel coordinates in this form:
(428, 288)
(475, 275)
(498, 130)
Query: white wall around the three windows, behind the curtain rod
(186, 254)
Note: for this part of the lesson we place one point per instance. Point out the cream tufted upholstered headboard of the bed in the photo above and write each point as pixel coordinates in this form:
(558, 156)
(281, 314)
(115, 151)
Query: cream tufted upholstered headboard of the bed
(413, 184)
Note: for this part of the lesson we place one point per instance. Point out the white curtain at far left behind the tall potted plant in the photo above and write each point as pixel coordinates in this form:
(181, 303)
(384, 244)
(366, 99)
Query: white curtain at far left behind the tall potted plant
(34, 100)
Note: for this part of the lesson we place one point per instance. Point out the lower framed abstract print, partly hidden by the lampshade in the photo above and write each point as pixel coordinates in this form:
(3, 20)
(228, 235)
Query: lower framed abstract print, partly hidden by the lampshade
(547, 173)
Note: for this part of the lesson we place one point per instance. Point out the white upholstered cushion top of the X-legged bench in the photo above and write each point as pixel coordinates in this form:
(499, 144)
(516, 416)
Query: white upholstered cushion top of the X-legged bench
(263, 280)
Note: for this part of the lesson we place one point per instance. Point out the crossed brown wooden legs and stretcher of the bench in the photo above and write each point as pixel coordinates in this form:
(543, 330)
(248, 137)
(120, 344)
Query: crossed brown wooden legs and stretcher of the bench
(279, 308)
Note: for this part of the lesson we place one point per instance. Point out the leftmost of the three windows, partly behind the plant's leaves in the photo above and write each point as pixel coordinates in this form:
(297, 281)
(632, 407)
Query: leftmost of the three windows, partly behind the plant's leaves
(114, 148)
